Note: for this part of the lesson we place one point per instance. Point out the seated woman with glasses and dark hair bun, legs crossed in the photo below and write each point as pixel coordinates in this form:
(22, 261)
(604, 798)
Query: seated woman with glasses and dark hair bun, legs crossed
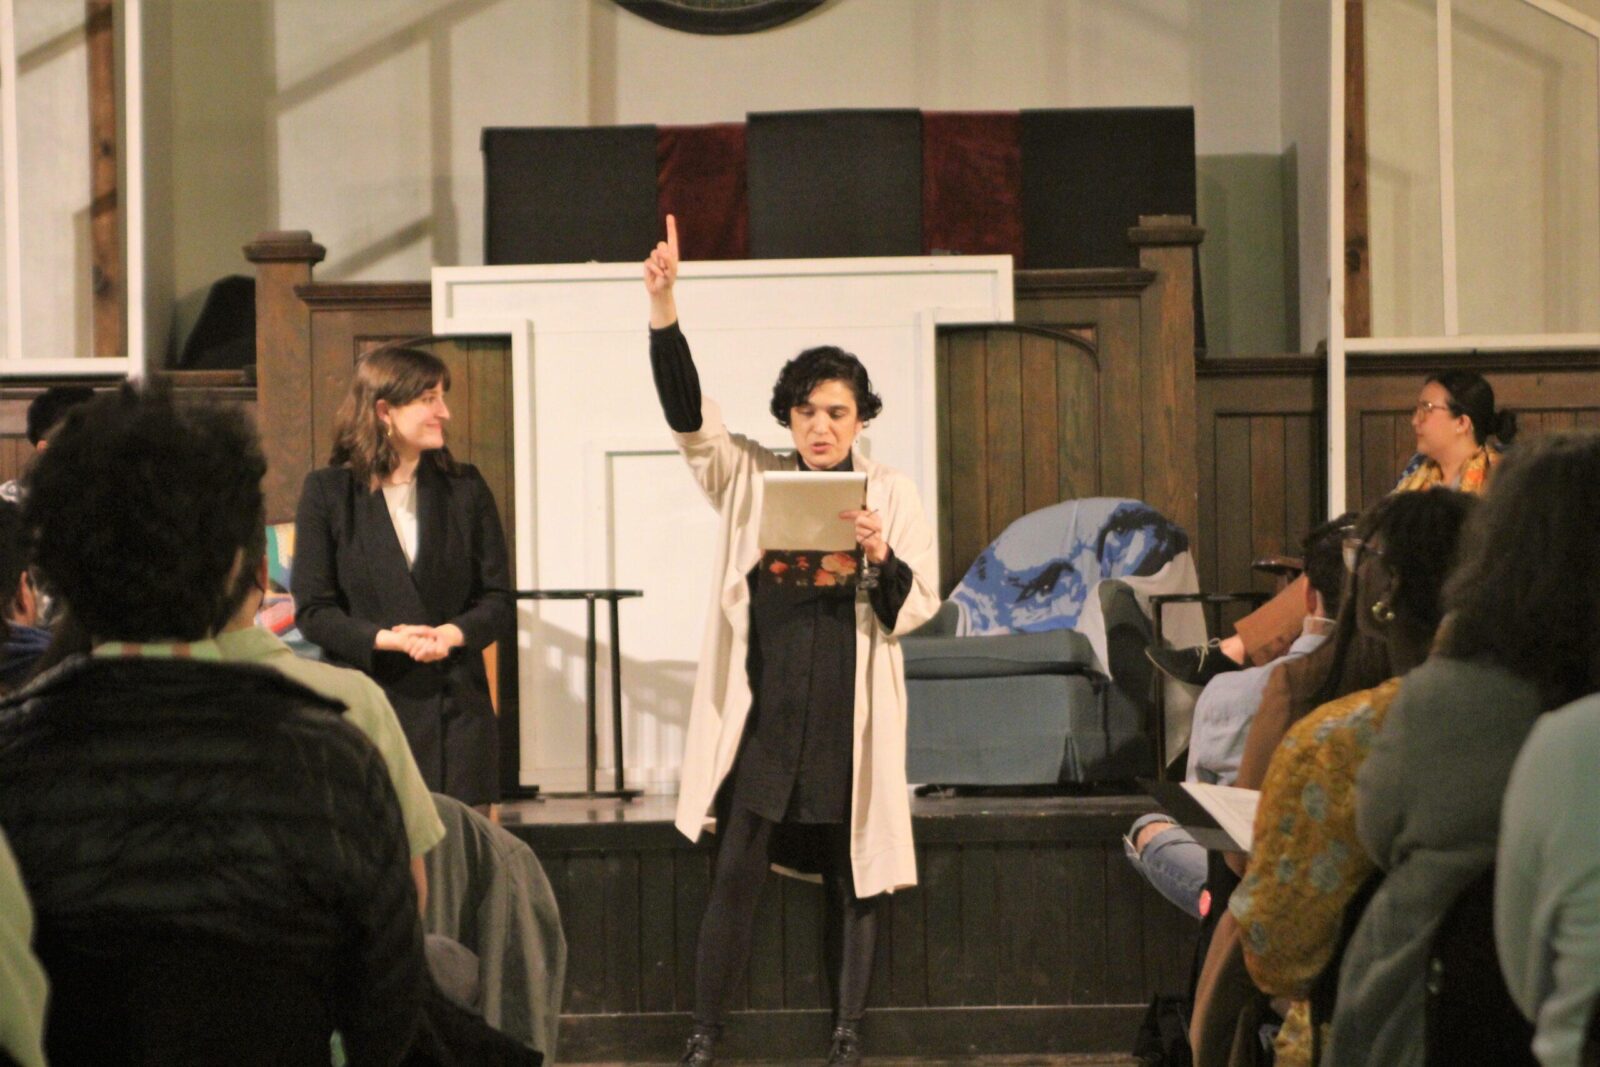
(1460, 436)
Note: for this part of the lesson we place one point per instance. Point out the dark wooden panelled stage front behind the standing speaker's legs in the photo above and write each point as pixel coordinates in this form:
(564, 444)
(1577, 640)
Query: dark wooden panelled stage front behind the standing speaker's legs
(1030, 935)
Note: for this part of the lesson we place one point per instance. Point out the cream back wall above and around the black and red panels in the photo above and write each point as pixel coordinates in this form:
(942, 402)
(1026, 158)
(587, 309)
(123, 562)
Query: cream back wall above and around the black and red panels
(361, 121)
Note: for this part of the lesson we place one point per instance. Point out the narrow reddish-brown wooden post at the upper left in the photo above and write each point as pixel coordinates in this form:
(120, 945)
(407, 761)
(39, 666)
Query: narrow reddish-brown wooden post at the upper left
(108, 286)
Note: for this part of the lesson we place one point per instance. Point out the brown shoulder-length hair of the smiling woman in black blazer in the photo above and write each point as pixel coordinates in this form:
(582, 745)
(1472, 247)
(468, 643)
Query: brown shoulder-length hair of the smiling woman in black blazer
(396, 374)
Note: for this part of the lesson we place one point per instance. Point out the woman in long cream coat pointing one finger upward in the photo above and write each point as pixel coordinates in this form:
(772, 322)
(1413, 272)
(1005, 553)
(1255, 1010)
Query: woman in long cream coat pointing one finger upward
(798, 727)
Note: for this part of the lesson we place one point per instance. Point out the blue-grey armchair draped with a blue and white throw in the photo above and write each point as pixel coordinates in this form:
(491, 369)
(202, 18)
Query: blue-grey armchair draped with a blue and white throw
(1034, 669)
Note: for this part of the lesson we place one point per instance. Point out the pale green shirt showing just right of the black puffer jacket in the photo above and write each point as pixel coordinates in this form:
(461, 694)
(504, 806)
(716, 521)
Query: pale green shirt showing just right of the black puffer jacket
(370, 713)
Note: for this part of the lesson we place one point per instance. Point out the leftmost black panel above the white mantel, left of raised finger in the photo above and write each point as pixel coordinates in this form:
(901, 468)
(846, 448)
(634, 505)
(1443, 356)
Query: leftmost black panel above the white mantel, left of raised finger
(569, 194)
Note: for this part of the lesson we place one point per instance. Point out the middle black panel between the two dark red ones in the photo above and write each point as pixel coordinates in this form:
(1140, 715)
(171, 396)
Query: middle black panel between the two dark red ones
(834, 183)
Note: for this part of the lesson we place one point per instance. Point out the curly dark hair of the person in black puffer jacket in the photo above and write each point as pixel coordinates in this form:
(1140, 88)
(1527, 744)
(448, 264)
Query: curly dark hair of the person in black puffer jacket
(140, 511)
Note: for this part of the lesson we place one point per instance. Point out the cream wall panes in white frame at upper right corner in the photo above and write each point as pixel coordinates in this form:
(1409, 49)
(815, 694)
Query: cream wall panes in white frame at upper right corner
(1527, 170)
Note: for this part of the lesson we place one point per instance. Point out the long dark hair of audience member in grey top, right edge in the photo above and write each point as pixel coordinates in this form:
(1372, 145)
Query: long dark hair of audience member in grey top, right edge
(1527, 596)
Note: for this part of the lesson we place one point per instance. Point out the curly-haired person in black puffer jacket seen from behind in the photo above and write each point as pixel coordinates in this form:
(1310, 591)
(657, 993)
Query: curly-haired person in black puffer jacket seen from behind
(217, 860)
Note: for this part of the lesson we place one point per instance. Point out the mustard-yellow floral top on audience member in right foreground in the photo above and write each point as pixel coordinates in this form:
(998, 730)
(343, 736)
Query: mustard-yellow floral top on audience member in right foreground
(1308, 860)
